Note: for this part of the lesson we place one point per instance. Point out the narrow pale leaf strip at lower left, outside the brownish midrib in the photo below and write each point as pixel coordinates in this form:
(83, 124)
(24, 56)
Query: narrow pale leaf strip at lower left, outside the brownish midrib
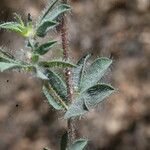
(51, 100)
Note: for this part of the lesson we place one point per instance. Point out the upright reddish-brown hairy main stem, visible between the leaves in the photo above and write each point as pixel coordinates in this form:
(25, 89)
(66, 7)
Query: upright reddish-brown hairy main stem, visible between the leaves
(64, 36)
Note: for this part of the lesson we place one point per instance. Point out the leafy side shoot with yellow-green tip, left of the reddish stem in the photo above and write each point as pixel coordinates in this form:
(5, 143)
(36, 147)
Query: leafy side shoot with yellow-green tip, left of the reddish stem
(31, 31)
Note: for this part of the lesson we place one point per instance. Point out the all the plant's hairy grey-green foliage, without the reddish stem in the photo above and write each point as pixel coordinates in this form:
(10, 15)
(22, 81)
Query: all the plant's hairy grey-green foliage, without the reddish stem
(88, 91)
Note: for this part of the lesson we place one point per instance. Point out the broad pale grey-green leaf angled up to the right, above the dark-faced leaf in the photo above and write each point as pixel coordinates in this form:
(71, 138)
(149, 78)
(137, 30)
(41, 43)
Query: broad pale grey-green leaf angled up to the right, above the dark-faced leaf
(95, 72)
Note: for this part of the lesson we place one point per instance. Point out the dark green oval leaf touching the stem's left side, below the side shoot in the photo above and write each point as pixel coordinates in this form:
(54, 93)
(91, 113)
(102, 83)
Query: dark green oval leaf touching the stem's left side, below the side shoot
(57, 84)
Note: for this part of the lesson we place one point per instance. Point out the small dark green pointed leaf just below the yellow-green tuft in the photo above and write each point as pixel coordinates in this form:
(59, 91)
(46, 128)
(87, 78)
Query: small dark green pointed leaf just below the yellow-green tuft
(44, 48)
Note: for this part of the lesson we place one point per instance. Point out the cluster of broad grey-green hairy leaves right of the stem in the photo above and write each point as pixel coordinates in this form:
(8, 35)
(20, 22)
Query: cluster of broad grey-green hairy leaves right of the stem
(88, 91)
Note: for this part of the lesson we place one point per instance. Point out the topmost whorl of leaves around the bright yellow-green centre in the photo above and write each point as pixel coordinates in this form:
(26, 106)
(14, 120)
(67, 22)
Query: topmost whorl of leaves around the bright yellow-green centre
(40, 28)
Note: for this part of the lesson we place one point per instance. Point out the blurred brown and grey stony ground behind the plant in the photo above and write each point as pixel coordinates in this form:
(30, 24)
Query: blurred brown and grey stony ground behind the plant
(119, 29)
